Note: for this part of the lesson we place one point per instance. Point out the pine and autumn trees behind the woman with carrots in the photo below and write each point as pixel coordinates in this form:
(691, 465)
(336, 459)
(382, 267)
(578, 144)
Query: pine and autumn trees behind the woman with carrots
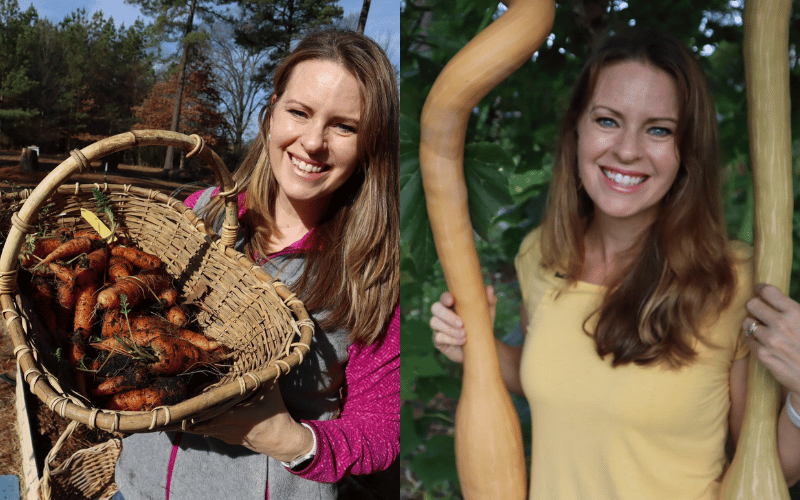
(65, 84)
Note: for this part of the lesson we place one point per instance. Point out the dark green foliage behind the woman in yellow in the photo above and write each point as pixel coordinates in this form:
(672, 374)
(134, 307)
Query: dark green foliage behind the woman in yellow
(508, 160)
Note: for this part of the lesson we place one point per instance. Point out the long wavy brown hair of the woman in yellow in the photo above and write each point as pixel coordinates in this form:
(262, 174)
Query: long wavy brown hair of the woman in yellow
(683, 274)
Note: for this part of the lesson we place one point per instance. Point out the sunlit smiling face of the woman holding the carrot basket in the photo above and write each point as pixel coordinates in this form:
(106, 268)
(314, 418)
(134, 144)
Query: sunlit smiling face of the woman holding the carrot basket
(314, 127)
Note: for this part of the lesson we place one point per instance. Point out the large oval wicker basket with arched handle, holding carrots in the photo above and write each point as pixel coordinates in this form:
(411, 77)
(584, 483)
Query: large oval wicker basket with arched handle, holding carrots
(241, 305)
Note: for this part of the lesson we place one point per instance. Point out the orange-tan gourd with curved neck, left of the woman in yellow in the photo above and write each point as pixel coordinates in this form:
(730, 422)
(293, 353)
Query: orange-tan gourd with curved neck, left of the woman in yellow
(489, 452)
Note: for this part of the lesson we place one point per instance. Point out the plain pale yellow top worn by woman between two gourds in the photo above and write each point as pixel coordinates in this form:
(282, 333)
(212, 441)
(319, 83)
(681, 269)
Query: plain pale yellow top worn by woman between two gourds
(631, 432)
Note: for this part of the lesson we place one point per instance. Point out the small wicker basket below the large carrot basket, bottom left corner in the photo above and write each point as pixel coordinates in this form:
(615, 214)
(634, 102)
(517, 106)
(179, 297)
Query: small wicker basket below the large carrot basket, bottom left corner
(87, 474)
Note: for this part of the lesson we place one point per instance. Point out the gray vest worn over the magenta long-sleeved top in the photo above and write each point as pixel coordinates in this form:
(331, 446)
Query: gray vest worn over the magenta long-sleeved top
(207, 468)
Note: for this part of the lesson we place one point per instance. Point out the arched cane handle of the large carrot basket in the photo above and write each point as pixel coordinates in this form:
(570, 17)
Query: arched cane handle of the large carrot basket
(79, 161)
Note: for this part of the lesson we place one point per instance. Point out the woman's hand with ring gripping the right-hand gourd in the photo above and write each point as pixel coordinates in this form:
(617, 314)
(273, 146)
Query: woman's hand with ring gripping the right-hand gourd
(775, 338)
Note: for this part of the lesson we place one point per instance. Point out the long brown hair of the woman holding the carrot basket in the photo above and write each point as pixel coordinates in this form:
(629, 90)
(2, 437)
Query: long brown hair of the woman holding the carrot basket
(352, 261)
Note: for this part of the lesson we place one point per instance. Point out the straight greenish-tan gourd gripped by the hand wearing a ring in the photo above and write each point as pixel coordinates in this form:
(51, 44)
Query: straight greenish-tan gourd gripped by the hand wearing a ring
(755, 472)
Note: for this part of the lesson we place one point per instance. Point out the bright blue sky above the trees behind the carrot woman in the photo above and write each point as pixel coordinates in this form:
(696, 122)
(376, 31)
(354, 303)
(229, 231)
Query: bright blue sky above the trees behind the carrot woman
(383, 21)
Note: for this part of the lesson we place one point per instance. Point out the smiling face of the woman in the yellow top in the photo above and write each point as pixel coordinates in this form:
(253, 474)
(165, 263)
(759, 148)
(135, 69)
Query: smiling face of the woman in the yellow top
(627, 151)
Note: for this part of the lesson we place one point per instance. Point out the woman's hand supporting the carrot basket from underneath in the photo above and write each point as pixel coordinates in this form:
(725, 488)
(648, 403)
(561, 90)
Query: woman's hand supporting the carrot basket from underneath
(261, 424)
